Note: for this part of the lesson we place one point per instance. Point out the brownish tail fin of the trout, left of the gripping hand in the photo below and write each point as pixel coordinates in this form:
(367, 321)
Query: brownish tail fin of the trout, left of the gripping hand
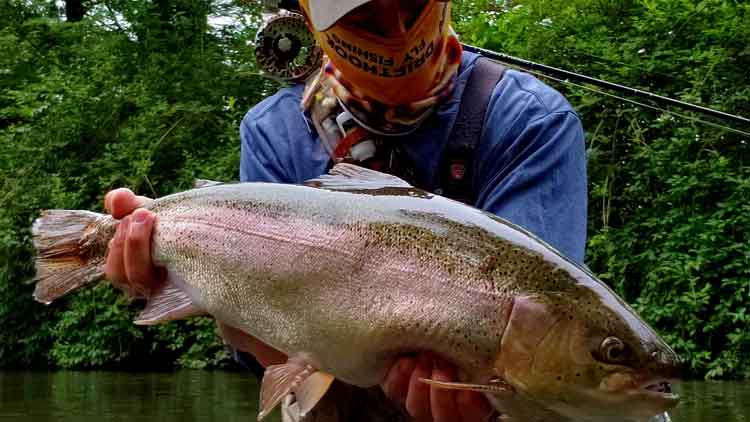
(71, 250)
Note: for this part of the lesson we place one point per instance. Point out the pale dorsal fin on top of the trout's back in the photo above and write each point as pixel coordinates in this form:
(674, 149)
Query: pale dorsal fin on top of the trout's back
(350, 177)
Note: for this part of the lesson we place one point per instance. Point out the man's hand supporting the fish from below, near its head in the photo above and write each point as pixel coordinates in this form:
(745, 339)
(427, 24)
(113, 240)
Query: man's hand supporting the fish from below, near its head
(431, 404)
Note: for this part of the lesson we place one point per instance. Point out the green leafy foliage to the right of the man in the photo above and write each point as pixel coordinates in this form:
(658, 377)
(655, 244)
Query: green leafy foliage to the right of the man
(669, 222)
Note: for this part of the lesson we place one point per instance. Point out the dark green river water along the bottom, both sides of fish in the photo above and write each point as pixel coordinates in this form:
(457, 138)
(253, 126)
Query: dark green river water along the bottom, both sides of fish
(186, 396)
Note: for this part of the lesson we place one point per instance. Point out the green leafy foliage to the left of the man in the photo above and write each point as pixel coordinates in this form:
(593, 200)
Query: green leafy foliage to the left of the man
(140, 94)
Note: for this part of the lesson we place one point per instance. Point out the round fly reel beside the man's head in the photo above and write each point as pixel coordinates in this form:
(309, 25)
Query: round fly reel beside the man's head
(285, 48)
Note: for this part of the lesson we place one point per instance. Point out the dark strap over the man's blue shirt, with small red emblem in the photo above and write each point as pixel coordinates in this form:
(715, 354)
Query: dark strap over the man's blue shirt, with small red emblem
(455, 179)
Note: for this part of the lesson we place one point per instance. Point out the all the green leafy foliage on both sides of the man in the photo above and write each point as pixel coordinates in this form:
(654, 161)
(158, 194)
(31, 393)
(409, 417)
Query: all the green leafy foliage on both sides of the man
(147, 94)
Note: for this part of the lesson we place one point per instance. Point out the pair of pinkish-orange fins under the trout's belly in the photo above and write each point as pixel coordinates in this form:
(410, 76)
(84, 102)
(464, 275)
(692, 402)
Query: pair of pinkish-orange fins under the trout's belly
(295, 376)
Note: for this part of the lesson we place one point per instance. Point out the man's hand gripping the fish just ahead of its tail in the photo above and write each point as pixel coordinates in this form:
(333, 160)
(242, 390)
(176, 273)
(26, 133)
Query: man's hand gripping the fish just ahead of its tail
(129, 263)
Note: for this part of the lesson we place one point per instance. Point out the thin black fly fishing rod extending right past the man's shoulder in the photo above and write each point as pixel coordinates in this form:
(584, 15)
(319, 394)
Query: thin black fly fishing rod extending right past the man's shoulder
(567, 75)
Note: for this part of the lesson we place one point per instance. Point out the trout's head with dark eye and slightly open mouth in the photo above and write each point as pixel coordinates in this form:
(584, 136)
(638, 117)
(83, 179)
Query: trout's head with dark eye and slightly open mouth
(587, 357)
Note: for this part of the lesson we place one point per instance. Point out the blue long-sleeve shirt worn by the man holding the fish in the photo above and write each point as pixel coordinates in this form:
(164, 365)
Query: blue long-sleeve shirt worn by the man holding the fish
(530, 161)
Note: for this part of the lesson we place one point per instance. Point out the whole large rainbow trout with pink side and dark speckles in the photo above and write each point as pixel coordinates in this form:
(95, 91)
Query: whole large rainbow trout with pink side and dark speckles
(356, 267)
